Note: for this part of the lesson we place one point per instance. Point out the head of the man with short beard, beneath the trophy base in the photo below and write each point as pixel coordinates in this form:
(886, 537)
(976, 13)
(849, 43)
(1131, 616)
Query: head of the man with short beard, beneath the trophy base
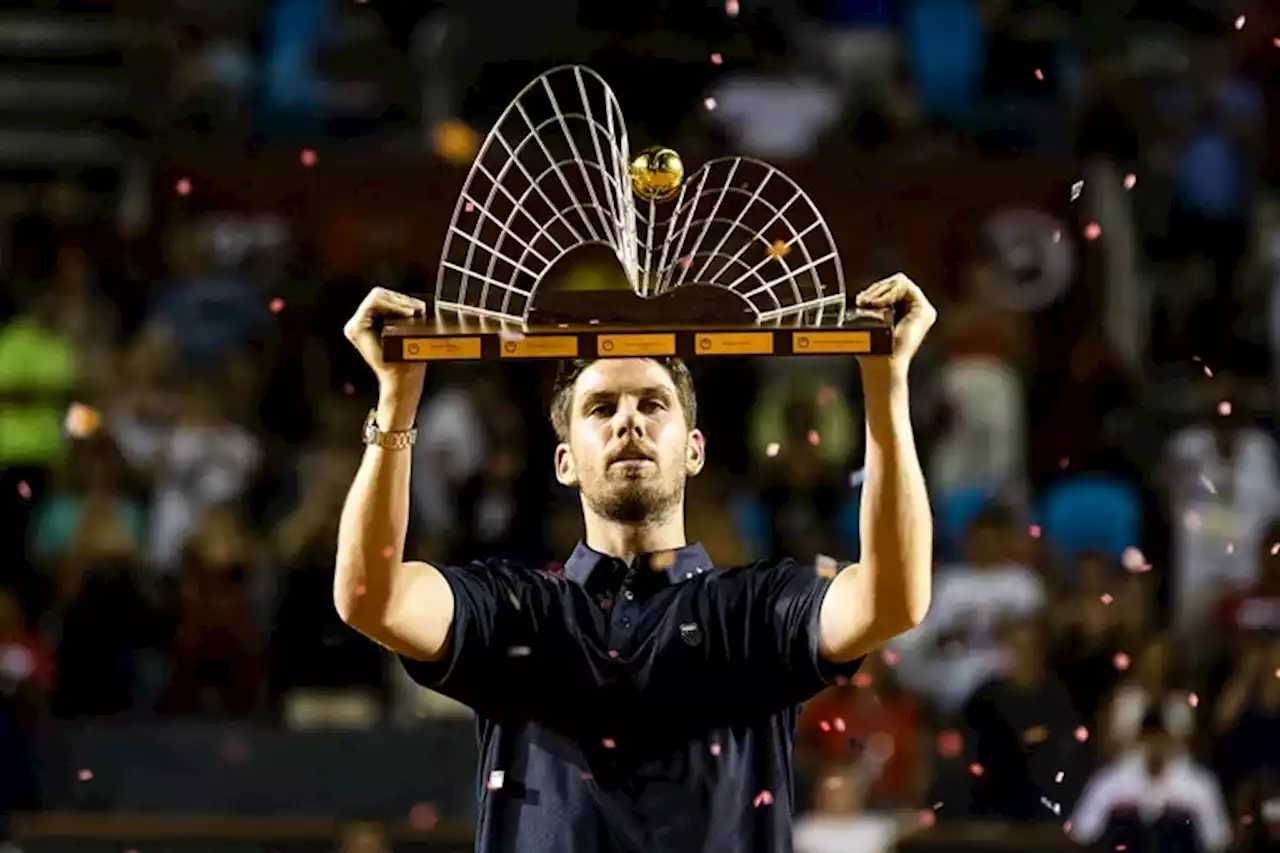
(629, 449)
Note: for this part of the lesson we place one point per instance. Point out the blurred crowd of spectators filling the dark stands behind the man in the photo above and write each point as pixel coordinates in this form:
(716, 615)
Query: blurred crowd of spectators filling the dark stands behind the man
(180, 414)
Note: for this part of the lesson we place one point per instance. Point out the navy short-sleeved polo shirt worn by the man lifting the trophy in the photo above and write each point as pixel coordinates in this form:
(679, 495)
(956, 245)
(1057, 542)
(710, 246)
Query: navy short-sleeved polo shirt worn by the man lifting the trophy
(634, 709)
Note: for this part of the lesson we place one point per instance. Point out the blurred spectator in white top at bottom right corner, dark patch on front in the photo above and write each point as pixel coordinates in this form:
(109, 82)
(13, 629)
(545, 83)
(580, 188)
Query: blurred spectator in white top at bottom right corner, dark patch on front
(1153, 799)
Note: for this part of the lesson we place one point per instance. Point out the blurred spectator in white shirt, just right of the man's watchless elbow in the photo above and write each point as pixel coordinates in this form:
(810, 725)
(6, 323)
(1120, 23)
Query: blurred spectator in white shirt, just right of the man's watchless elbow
(959, 646)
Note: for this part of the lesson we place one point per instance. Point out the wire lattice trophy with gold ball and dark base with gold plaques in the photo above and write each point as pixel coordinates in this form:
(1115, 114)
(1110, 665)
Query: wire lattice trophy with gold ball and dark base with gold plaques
(733, 259)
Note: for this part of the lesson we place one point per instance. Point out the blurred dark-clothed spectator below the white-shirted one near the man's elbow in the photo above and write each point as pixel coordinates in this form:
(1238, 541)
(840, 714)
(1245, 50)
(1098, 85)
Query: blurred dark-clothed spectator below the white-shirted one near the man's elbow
(1023, 728)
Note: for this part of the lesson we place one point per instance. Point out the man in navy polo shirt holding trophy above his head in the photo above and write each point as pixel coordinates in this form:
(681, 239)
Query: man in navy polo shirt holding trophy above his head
(642, 703)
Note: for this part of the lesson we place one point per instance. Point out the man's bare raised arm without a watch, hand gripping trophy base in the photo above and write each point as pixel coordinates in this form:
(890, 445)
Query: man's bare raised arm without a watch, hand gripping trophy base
(888, 592)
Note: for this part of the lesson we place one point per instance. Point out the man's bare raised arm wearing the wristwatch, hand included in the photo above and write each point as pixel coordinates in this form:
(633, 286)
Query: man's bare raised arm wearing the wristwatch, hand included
(405, 606)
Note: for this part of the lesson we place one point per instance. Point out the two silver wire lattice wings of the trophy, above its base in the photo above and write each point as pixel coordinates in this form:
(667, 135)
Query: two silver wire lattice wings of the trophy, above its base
(552, 177)
